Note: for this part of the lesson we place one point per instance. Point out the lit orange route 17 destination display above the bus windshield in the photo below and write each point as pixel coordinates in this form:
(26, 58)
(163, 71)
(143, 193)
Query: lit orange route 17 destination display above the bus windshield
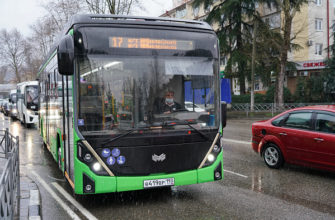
(149, 43)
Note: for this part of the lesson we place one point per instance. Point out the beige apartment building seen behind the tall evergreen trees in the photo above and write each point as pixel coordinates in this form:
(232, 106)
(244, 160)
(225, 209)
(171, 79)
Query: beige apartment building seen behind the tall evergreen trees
(313, 28)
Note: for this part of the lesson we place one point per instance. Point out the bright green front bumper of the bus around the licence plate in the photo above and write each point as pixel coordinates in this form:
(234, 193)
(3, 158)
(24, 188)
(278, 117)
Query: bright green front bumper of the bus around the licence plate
(107, 184)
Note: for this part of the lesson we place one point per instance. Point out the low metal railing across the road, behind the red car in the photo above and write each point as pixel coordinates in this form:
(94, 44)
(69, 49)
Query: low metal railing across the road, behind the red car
(269, 107)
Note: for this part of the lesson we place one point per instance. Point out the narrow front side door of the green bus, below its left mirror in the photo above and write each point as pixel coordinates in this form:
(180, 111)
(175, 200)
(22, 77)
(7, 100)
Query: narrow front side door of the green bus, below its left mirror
(66, 123)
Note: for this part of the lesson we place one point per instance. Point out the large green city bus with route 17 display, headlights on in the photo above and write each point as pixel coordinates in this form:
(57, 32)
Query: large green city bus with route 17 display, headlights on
(101, 90)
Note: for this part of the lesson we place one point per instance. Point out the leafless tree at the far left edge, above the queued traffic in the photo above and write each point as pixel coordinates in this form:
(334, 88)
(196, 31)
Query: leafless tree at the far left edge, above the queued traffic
(12, 51)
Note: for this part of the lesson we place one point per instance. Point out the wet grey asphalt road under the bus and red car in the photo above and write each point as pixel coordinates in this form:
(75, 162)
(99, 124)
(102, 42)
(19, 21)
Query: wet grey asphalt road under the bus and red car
(249, 190)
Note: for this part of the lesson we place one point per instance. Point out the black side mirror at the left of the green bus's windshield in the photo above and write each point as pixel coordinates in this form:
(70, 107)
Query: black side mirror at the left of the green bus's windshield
(65, 55)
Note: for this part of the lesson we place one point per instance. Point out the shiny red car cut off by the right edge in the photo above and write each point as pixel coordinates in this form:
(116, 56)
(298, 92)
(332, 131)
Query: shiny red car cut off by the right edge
(303, 136)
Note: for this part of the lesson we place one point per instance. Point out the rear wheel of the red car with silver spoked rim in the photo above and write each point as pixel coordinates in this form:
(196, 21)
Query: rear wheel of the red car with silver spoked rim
(272, 155)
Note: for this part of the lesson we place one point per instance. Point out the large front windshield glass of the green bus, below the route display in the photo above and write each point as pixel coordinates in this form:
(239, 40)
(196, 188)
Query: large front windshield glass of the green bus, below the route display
(123, 92)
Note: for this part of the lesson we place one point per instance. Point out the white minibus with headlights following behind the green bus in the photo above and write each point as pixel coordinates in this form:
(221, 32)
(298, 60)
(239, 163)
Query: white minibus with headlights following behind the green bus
(27, 102)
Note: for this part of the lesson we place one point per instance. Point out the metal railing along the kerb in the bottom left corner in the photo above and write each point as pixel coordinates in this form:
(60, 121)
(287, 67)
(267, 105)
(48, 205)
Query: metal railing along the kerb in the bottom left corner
(10, 177)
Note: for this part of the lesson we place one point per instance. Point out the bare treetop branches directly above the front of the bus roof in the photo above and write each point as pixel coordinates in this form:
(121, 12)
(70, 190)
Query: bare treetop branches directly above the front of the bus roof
(119, 7)
